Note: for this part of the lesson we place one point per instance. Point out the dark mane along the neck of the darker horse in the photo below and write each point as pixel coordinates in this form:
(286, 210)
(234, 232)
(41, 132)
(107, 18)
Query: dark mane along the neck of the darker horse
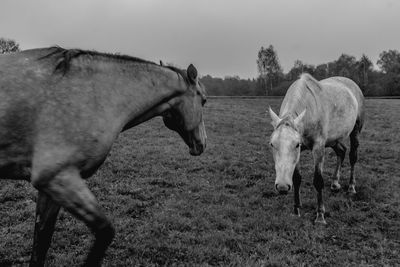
(64, 59)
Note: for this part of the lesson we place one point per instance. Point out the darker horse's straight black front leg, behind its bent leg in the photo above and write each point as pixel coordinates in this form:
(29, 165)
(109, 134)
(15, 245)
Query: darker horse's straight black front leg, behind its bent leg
(46, 216)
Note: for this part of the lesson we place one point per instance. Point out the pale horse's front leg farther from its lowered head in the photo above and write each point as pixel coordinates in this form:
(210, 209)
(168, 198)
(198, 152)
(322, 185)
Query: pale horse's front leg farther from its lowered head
(318, 154)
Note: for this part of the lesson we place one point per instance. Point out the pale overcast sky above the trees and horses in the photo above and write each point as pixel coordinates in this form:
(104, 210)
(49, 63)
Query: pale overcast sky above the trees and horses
(221, 37)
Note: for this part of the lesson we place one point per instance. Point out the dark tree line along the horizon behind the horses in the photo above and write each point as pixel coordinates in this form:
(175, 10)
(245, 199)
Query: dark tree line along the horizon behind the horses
(272, 81)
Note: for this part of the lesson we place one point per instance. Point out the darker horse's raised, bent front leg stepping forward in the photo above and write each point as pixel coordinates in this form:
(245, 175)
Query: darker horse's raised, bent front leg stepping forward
(69, 190)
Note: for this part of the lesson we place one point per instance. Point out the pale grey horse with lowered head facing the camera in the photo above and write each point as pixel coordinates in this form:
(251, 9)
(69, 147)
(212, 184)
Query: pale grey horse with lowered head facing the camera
(315, 115)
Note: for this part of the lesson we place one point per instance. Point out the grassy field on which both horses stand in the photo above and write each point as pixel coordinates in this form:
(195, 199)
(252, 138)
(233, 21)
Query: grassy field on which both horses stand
(220, 209)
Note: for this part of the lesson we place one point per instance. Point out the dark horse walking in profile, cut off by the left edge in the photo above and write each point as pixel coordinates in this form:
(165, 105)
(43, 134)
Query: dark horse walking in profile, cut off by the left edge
(60, 112)
